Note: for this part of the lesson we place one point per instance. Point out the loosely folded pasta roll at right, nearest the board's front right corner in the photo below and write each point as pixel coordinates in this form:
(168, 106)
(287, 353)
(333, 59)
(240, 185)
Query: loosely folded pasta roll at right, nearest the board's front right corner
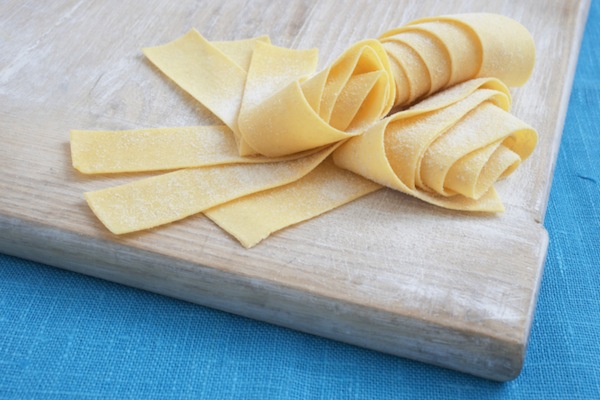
(449, 153)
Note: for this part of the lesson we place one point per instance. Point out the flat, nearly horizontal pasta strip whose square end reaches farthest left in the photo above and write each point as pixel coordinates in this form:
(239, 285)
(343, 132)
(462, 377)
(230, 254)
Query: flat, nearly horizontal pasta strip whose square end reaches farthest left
(157, 149)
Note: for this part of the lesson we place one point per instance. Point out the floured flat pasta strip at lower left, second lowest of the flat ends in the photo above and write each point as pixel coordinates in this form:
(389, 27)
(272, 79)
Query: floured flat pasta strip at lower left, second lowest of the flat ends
(166, 198)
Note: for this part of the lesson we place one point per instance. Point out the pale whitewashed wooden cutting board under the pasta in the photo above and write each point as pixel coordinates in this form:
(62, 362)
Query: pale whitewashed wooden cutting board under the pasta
(386, 272)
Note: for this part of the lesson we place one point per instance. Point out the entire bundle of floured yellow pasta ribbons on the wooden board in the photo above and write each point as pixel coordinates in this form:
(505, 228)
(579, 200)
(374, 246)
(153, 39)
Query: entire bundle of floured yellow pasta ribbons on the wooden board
(423, 110)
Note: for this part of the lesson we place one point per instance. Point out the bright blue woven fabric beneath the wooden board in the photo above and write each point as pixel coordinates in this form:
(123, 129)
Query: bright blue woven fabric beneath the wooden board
(65, 335)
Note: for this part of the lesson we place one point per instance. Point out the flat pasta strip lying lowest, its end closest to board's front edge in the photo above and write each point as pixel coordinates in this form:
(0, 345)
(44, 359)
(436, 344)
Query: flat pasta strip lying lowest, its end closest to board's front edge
(253, 218)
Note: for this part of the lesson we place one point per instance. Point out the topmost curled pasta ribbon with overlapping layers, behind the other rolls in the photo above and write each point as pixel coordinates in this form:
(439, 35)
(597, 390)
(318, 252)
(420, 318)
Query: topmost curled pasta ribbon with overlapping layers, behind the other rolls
(450, 49)
